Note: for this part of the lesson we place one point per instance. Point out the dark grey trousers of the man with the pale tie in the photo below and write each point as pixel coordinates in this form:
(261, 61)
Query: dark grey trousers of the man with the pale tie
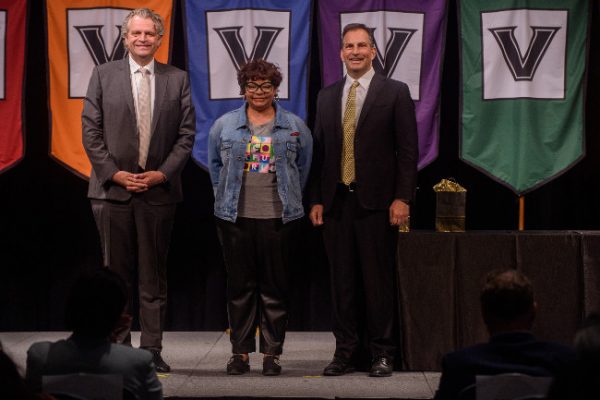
(135, 233)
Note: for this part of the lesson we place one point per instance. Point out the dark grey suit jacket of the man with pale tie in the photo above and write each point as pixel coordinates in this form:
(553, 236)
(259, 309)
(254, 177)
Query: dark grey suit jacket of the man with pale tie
(110, 135)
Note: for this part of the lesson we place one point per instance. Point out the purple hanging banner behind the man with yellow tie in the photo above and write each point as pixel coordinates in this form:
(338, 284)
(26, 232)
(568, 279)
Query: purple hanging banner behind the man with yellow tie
(409, 37)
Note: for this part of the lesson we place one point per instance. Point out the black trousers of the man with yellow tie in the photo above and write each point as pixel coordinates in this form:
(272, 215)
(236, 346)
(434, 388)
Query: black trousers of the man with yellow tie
(360, 246)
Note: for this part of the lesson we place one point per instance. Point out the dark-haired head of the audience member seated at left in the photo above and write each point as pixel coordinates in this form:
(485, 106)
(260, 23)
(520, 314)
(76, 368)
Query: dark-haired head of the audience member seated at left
(95, 304)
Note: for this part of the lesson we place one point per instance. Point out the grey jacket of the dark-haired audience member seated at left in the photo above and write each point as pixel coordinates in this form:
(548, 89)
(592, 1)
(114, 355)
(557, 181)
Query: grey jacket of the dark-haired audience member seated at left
(76, 355)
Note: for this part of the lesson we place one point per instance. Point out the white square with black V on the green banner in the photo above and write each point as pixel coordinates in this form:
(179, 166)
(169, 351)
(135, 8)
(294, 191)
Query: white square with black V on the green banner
(524, 54)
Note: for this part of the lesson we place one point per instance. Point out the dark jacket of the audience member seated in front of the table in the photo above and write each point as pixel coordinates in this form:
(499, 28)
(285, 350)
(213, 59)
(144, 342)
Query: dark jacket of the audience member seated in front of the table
(509, 352)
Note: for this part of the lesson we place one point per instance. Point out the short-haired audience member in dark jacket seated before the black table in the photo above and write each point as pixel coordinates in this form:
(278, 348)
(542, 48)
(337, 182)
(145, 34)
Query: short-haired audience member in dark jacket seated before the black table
(508, 308)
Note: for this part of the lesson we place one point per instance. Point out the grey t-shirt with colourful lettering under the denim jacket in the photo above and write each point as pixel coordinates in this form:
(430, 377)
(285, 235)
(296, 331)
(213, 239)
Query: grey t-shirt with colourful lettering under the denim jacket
(258, 194)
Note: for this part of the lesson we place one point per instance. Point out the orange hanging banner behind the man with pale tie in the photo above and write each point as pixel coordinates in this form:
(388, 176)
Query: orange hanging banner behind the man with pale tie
(81, 35)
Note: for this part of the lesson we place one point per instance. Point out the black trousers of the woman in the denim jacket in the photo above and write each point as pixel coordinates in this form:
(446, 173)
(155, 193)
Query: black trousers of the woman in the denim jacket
(256, 254)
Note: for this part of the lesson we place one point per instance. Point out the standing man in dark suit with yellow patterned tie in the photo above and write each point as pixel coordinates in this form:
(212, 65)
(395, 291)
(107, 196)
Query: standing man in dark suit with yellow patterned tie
(362, 182)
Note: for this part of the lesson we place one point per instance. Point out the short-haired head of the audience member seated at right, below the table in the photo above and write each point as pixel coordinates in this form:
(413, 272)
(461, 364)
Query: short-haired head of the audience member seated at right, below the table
(507, 301)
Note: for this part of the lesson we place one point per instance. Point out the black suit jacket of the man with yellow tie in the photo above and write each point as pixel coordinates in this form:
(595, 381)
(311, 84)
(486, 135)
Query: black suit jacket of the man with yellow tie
(385, 147)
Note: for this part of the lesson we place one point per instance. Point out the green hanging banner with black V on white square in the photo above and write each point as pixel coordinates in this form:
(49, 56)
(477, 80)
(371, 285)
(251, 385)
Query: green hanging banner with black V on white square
(522, 101)
